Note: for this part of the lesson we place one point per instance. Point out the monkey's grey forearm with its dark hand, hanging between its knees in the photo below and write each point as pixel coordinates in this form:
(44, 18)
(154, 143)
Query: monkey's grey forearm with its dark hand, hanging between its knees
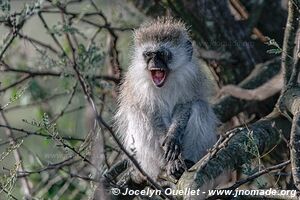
(173, 141)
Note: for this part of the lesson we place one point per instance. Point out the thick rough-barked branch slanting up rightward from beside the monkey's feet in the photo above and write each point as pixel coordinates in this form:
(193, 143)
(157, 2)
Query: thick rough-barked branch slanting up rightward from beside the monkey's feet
(264, 134)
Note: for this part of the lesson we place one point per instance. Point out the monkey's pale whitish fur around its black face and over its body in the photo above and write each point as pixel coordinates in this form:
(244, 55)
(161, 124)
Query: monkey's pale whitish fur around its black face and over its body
(139, 99)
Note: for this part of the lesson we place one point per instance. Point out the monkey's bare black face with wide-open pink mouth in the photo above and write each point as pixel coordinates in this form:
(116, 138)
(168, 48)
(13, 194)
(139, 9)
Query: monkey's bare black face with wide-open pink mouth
(157, 64)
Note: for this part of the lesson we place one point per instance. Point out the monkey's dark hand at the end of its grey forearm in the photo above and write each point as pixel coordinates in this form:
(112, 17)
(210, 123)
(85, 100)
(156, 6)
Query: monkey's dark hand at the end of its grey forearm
(172, 148)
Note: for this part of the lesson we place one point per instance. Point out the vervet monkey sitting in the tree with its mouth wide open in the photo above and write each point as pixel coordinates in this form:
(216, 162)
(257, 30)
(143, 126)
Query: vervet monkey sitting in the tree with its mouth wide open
(163, 115)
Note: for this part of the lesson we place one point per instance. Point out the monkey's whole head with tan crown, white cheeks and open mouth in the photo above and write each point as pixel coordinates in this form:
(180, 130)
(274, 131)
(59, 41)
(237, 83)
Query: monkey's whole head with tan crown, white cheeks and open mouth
(162, 52)
